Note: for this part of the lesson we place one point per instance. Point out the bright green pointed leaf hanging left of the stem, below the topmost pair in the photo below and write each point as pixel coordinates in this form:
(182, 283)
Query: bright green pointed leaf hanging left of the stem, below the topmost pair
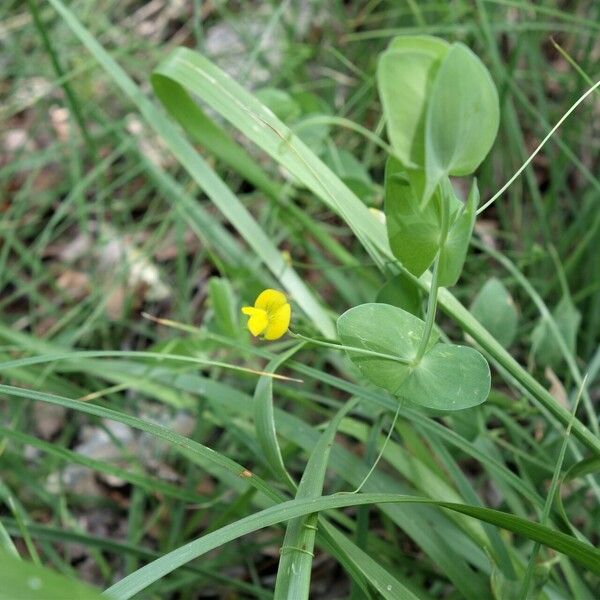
(413, 231)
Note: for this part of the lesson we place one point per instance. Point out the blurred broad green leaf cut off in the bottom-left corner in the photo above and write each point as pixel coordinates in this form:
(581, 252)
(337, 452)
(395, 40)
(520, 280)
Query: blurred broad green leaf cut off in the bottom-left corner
(22, 580)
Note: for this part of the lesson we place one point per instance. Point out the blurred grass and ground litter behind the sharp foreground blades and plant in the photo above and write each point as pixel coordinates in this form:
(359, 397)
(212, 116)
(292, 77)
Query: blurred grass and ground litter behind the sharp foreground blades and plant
(91, 236)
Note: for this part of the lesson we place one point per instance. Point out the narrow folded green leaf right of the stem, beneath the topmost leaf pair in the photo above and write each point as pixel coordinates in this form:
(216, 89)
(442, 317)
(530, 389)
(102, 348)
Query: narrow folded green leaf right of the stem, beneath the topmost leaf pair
(457, 242)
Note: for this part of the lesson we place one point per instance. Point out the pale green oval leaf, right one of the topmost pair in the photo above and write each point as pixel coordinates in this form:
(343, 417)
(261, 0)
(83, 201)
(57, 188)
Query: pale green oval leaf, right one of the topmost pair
(462, 116)
